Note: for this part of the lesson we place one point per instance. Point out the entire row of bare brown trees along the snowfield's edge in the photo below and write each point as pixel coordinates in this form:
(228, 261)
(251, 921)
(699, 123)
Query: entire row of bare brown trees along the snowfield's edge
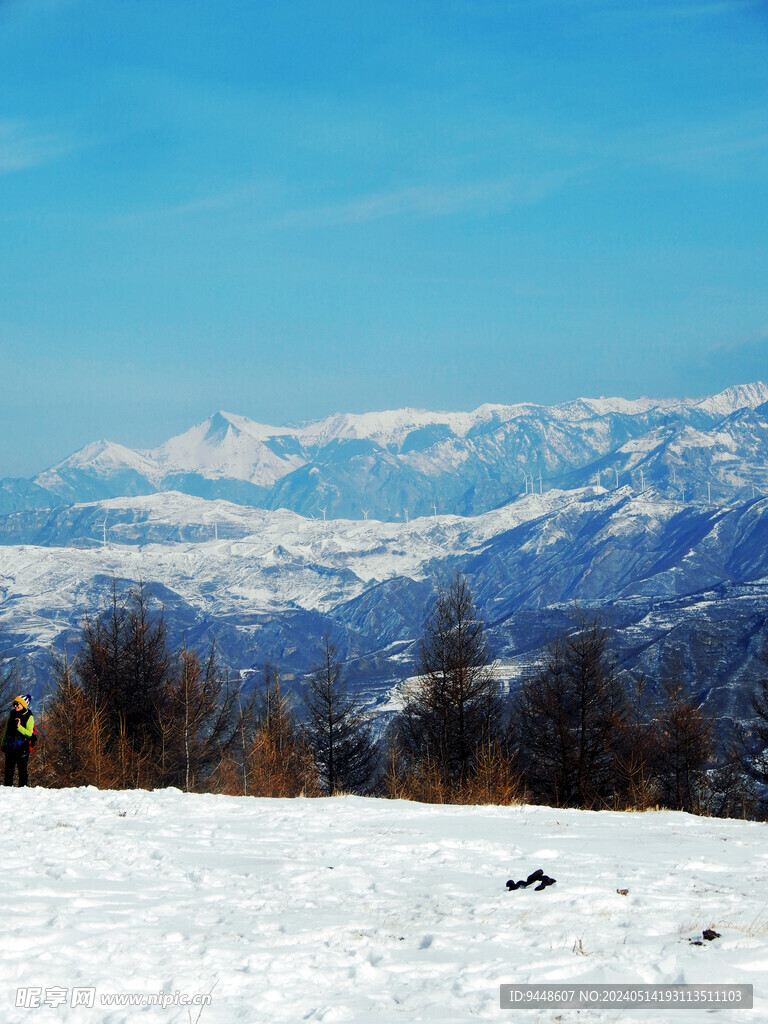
(129, 712)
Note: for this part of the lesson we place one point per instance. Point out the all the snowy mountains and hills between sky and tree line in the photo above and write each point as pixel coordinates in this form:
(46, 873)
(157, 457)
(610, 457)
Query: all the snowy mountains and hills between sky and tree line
(672, 545)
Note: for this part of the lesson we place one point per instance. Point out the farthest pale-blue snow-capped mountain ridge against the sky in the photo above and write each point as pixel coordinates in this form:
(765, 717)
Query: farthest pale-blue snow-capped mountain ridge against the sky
(411, 462)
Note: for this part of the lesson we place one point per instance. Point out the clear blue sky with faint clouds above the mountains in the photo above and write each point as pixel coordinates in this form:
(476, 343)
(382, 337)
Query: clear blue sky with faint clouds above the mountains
(290, 208)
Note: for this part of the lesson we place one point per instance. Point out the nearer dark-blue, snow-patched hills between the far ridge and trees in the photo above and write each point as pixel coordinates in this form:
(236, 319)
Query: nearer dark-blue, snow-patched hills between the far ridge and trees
(669, 577)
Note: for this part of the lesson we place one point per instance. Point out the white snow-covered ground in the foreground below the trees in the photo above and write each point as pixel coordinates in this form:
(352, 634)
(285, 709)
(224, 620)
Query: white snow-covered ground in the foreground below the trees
(353, 910)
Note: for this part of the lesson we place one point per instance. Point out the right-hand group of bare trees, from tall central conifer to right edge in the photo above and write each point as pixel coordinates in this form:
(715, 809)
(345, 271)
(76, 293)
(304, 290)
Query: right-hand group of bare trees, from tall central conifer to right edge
(576, 732)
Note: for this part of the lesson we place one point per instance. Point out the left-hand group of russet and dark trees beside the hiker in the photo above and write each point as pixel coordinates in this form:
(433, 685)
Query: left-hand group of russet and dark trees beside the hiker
(129, 712)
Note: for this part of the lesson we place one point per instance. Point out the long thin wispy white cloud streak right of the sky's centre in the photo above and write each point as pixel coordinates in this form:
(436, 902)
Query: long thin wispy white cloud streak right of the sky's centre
(433, 200)
